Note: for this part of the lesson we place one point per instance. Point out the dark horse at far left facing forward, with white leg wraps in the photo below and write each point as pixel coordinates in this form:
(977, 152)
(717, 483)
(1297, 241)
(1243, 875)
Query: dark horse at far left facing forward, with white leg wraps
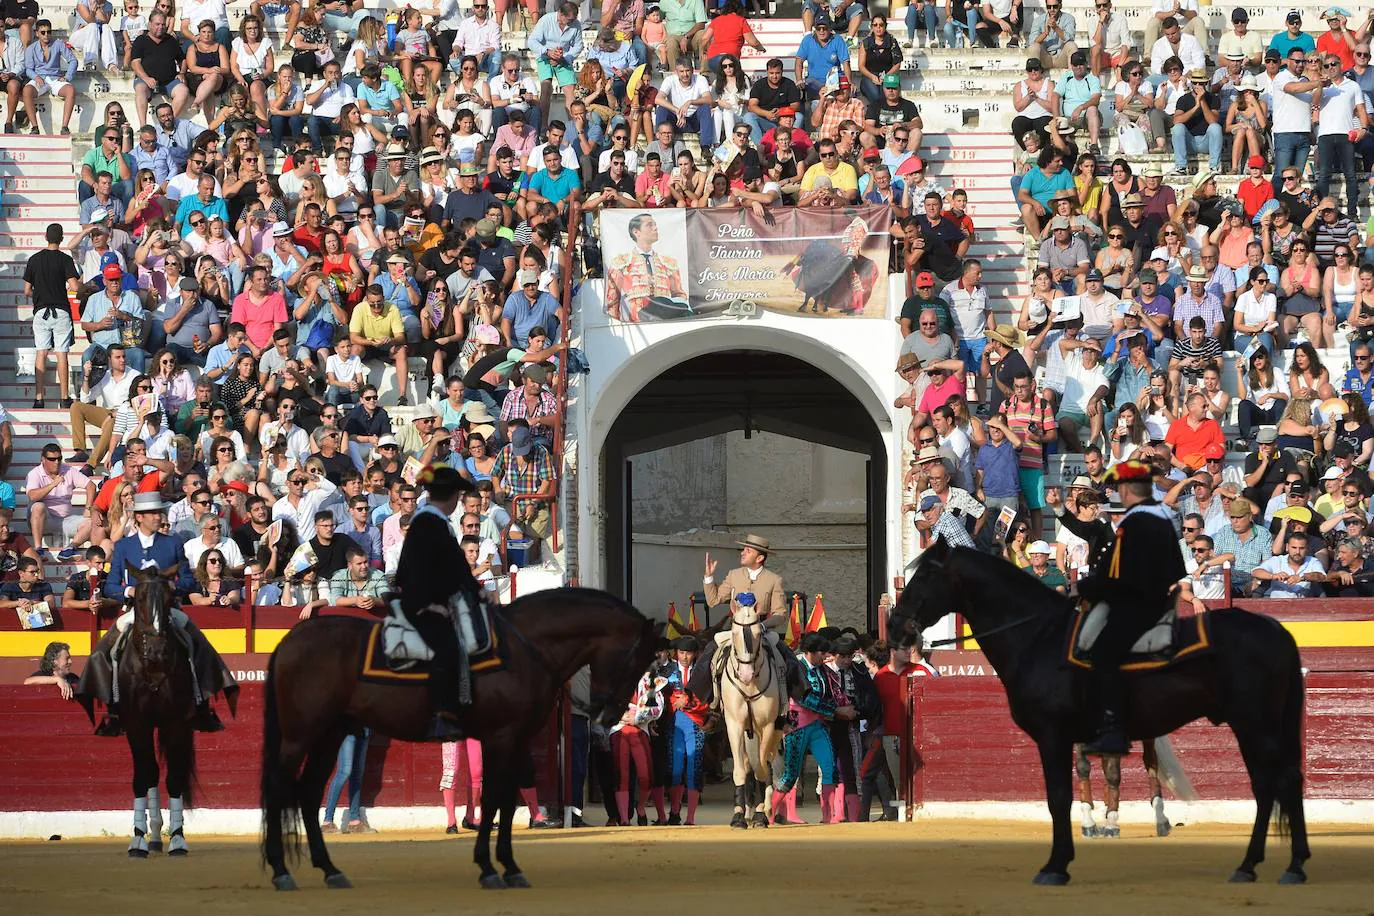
(157, 701)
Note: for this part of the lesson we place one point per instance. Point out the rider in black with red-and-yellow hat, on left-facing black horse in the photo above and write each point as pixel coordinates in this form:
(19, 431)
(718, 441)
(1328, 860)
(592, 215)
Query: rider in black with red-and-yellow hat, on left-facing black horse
(1137, 575)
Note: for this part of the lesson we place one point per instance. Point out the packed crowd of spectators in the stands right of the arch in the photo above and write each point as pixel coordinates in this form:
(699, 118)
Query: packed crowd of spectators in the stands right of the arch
(1140, 292)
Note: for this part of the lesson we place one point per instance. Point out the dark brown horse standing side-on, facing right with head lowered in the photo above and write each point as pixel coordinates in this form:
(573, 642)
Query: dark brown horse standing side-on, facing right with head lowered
(315, 697)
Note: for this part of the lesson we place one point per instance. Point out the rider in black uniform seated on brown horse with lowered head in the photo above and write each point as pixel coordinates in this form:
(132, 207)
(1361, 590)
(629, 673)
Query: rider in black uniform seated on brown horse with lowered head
(431, 571)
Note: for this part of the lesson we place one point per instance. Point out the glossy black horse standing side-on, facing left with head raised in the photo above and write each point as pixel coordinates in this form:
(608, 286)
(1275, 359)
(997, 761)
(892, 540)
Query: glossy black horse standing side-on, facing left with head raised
(1252, 682)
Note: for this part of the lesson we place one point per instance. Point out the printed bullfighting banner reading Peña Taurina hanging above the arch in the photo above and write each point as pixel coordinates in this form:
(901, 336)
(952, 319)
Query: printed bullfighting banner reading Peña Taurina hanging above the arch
(686, 264)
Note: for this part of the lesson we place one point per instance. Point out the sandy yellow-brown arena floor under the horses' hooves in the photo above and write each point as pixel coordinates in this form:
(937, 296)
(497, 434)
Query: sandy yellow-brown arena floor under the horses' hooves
(939, 867)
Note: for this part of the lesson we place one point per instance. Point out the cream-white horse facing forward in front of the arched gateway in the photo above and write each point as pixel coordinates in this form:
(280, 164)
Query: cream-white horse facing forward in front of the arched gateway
(754, 694)
